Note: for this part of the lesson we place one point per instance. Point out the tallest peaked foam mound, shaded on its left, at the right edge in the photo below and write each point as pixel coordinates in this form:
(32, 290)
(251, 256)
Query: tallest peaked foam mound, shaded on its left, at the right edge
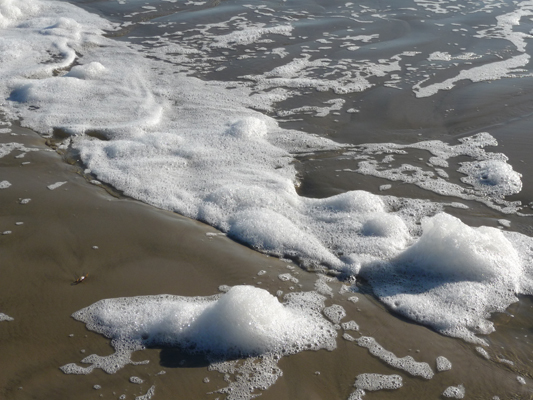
(452, 278)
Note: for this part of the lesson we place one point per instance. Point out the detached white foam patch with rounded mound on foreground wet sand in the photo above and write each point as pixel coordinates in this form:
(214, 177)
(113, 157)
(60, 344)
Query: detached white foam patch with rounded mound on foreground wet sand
(245, 321)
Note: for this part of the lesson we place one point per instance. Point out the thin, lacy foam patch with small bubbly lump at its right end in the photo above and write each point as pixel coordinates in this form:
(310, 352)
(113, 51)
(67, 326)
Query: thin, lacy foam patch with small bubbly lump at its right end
(489, 177)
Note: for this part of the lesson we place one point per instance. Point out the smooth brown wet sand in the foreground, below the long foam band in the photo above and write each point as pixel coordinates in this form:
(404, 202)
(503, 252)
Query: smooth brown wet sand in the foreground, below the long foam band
(144, 251)
